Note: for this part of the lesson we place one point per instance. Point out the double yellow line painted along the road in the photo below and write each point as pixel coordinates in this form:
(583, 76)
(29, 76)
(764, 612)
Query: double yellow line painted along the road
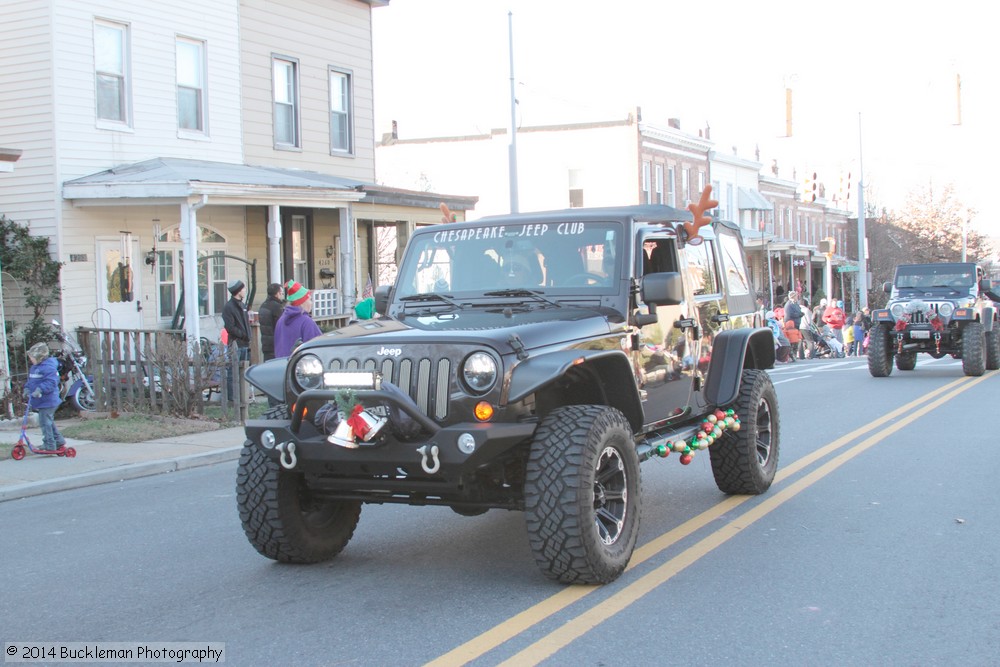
(593, 616)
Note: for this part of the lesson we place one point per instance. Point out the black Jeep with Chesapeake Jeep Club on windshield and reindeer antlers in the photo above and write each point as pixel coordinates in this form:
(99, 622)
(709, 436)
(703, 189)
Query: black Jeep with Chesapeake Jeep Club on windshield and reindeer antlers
(526, 362)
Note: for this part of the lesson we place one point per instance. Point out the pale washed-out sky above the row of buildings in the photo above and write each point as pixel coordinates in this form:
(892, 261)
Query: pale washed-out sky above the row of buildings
(442, 67)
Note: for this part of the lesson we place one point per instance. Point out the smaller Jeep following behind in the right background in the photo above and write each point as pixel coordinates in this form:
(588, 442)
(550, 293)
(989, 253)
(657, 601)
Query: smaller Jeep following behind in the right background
(937, 309)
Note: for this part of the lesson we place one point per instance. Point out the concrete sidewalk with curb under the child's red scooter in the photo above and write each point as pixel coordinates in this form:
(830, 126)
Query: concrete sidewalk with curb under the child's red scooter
(102, 462)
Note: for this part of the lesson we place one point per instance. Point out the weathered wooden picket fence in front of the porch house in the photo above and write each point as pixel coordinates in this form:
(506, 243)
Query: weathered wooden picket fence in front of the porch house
(155, 371)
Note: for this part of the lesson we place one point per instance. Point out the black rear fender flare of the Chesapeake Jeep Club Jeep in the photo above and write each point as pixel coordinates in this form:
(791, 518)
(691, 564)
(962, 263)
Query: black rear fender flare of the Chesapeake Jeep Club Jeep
(732, 351)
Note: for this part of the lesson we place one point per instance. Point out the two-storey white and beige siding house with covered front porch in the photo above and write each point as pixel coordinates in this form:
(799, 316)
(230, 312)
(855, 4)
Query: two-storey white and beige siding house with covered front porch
(155, 131)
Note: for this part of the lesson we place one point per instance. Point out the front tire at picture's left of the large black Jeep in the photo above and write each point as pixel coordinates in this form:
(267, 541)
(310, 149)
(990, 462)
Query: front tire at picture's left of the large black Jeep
(282, 519)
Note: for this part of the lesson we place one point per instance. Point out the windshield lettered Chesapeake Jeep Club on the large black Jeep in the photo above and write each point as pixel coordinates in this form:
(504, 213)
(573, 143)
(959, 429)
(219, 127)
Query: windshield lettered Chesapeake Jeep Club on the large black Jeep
(500, 261)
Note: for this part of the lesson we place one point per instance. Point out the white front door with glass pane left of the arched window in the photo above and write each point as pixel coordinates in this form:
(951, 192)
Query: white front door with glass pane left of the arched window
(119, 293)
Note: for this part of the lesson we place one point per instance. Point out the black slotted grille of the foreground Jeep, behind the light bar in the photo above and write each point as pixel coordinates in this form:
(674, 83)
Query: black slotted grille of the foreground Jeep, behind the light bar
(425, 380)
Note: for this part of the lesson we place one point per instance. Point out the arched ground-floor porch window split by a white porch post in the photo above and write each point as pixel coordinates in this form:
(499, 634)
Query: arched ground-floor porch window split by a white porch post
(211, 271)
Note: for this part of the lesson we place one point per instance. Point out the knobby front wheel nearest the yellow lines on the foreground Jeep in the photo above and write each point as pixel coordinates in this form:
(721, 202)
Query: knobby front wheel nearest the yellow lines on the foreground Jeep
(582, 494)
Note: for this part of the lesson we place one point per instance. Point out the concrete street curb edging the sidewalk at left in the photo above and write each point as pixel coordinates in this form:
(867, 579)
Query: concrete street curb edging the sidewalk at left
(118, 474)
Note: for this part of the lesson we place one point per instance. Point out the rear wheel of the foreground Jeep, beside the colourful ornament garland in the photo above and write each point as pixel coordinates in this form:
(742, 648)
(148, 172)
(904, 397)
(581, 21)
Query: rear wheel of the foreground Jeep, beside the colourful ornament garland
(745, 461)
